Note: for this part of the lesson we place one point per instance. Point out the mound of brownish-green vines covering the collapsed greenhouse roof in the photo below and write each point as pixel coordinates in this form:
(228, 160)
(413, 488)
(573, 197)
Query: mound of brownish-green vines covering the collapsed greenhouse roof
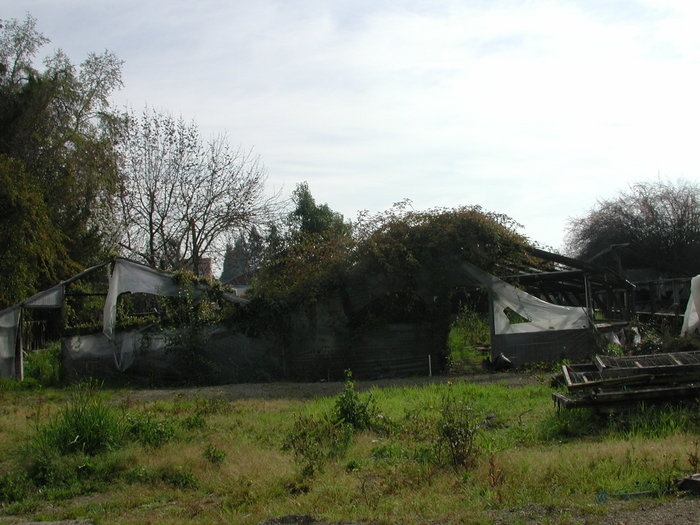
(409, 256)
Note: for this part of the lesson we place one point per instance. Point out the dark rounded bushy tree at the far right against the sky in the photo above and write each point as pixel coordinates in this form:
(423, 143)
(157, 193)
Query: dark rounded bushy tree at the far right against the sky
(653, 225)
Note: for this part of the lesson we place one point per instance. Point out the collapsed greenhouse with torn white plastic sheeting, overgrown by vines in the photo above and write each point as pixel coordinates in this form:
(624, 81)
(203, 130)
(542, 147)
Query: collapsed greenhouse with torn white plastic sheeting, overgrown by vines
(321, 341)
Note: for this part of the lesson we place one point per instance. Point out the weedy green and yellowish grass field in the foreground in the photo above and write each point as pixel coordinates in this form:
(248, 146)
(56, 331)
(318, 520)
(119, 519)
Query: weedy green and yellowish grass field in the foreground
(451, 451)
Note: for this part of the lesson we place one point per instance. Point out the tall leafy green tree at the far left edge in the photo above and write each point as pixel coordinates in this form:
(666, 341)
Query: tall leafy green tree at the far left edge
(57, 135)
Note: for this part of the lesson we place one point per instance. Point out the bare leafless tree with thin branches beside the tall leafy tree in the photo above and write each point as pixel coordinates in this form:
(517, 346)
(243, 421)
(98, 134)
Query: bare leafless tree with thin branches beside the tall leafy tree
(181, 197)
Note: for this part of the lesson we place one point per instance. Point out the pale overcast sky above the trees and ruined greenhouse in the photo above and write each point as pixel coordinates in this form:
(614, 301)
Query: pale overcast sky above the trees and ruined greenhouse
(534, 109)
